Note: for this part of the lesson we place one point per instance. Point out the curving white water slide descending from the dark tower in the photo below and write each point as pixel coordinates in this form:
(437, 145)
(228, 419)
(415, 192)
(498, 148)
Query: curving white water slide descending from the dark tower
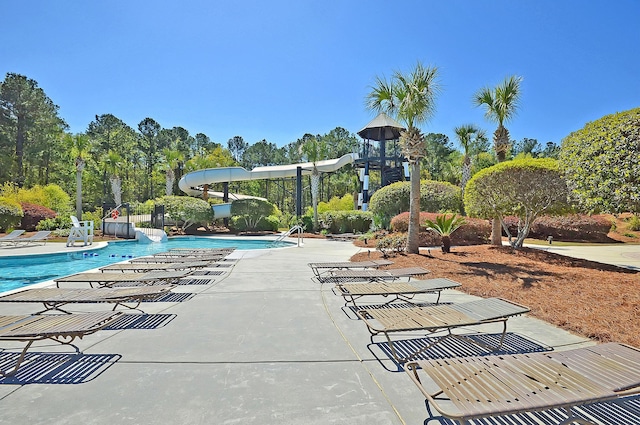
(192, 183)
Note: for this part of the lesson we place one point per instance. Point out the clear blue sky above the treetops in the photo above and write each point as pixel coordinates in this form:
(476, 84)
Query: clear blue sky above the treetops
(277, 69)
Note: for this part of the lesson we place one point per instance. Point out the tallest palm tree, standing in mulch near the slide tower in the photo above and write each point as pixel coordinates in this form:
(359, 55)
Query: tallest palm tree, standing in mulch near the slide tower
(411, 99)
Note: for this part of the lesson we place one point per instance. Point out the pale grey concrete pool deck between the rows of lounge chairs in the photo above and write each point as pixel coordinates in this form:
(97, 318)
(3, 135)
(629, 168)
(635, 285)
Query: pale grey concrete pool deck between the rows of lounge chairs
(261, 344)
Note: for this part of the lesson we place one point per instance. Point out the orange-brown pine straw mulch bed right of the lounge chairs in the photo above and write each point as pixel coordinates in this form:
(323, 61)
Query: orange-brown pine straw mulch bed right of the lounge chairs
(591, 299)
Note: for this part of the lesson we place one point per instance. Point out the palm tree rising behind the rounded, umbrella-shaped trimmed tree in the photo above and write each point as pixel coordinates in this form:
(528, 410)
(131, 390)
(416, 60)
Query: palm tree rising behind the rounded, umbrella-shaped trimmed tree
(501, 104)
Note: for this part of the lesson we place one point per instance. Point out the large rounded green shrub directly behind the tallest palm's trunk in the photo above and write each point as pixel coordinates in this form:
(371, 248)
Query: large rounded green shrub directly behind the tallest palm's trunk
(394, 199)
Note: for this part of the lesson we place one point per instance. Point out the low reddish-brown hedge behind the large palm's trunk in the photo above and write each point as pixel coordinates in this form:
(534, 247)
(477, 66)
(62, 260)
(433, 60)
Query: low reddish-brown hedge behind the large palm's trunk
(475, 232)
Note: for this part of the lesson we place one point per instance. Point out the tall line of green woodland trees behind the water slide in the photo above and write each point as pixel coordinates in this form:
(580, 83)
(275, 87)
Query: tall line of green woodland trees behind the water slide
(147, 161)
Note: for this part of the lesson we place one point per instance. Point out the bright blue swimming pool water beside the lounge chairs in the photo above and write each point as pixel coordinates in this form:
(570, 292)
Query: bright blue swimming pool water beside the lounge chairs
(18, 272)
